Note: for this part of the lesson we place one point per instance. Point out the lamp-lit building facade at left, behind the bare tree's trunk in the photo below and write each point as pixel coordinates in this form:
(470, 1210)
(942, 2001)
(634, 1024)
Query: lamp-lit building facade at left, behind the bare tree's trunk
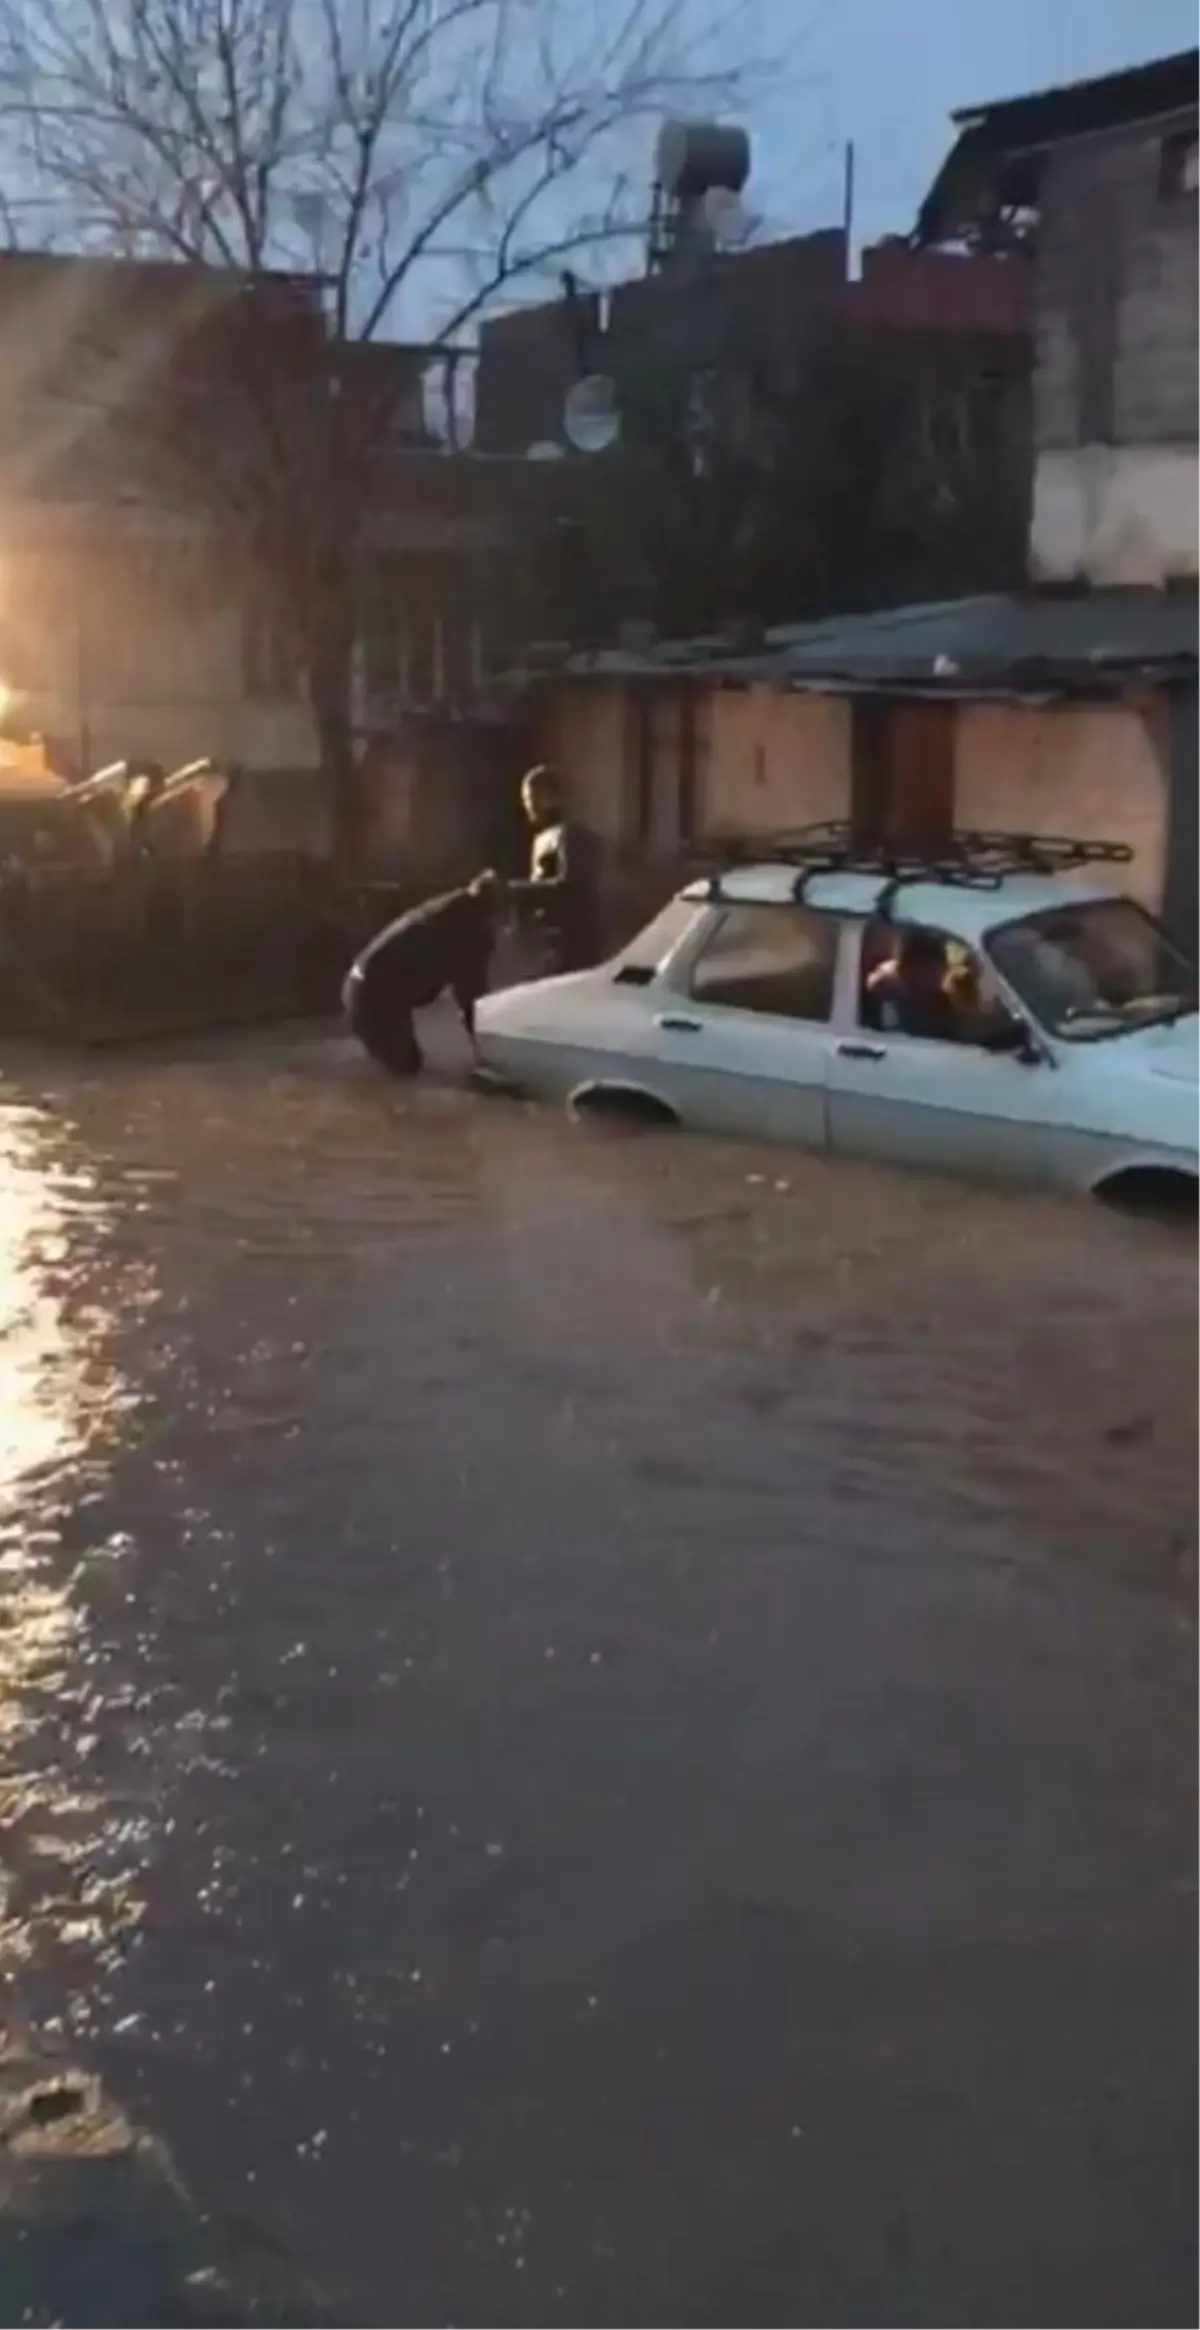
(136, 614)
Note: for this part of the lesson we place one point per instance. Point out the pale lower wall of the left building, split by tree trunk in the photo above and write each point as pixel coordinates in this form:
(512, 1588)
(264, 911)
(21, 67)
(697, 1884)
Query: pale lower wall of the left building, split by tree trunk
(139, 635)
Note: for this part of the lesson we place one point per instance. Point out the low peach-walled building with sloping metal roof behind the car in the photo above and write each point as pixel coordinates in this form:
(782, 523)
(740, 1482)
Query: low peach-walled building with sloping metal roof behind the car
(1003, 714)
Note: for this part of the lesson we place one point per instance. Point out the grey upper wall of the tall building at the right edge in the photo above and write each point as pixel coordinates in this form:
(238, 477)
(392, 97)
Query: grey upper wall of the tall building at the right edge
(1117, 372)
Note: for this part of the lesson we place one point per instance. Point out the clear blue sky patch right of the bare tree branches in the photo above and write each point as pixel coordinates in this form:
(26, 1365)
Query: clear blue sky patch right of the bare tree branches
(889, 76)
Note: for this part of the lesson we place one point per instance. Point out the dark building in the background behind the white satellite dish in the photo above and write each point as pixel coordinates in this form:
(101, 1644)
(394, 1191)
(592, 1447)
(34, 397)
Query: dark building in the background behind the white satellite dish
(793, 435)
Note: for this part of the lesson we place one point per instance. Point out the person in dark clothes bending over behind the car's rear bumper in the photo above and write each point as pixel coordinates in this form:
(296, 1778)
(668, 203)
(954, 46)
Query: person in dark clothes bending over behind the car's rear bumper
(444, 945)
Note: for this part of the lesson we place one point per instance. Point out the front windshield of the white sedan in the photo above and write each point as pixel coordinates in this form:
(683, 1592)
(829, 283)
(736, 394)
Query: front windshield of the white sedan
(1096, 970)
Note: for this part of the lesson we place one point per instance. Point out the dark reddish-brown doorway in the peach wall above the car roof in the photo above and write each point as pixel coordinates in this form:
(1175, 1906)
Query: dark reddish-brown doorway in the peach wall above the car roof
(903, 789)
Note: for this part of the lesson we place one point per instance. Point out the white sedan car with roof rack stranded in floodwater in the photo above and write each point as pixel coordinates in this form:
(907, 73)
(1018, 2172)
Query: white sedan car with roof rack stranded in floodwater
(749, 1008)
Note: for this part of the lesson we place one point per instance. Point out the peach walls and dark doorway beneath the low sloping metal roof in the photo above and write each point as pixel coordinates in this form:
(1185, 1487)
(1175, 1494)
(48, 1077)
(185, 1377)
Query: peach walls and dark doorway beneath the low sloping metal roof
(772, 758)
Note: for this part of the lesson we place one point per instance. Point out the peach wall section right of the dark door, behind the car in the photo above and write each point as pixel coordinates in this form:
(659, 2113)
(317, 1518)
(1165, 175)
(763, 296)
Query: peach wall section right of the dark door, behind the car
(1096, 772)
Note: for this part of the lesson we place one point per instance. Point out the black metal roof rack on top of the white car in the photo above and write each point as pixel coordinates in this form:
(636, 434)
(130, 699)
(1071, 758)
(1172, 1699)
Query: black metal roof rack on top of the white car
(970, 859)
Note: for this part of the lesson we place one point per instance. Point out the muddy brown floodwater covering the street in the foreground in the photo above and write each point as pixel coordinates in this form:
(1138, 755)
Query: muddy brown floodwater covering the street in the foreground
(595, 1730)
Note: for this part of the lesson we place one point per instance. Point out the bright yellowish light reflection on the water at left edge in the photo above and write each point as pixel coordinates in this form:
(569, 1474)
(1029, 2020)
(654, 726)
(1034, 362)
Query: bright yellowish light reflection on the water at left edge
(66, 1849)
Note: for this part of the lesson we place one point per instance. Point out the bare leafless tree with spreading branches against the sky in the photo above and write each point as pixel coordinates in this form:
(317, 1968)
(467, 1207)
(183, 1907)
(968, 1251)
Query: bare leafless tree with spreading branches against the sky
(418, 157)
